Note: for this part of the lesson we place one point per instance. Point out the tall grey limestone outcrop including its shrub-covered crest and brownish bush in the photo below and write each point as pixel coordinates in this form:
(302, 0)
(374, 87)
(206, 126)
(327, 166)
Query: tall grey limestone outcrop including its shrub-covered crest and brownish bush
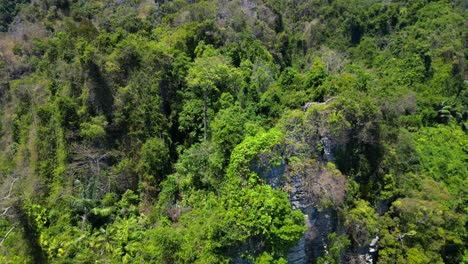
(314, 186)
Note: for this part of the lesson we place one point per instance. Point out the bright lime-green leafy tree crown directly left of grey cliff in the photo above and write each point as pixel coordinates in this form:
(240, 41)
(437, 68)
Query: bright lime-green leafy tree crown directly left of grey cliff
(231, 221)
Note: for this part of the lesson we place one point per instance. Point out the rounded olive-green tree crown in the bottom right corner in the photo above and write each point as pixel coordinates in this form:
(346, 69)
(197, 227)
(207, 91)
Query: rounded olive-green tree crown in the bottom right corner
(424, 221)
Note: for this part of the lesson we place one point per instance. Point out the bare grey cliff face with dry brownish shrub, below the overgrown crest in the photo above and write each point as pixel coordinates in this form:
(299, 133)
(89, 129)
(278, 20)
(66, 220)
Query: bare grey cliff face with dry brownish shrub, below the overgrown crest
(306, 185)
